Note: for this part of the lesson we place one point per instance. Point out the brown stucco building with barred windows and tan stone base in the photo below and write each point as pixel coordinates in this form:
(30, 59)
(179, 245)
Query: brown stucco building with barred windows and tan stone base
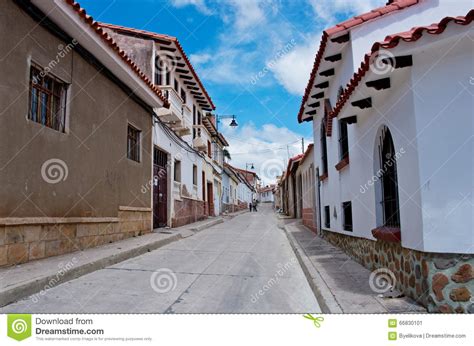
(76, 134)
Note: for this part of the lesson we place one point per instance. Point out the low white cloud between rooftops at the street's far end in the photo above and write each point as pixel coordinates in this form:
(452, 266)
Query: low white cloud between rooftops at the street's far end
(249, 144)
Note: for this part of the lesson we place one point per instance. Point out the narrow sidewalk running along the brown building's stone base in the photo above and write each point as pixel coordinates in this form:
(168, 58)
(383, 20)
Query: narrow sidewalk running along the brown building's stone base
(20, 281)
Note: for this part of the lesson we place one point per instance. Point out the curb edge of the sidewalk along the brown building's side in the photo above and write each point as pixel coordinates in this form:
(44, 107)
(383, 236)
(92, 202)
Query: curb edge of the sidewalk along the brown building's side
(25, 289)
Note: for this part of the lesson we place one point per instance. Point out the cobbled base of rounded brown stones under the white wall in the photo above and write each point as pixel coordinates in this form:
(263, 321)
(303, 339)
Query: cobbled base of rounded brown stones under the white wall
(440, 282)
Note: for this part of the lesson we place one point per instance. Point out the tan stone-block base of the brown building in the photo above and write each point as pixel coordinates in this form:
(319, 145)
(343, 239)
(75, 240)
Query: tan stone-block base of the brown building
(28, 239)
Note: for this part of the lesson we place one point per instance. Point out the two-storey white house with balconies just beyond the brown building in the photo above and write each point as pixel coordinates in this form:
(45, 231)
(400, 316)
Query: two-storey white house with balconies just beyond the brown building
(187, 149)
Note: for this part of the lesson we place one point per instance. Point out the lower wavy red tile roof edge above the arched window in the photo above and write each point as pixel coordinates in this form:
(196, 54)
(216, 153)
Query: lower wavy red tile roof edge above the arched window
(392, 41)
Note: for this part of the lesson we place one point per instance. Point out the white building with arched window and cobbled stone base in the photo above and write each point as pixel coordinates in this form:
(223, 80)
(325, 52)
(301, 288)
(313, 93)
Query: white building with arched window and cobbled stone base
(391, 103)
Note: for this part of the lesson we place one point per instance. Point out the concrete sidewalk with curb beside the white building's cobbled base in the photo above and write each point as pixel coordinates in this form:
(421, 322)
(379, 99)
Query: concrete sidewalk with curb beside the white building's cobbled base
(340, 284)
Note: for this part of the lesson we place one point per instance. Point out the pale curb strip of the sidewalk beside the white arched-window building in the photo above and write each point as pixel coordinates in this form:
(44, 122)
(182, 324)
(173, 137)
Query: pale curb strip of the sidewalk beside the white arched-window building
(327, 301)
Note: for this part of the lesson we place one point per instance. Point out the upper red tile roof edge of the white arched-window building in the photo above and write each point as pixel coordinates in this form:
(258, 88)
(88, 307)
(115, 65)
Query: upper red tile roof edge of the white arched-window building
(391, 6)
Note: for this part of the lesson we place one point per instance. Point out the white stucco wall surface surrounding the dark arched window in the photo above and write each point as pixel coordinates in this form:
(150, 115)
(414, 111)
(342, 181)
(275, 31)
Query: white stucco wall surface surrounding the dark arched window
(429, 111)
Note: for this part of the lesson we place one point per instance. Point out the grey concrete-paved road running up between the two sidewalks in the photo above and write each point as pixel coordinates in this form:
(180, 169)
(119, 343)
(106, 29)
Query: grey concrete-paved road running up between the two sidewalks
(244, 265)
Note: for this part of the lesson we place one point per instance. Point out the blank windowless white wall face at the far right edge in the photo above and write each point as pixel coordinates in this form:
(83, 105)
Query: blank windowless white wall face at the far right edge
(441, 79)
